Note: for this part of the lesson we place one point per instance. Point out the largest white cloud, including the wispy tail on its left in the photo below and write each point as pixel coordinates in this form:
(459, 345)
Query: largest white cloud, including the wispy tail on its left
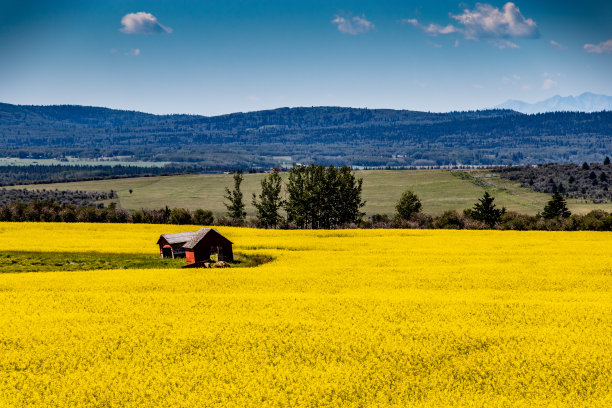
(485, 22)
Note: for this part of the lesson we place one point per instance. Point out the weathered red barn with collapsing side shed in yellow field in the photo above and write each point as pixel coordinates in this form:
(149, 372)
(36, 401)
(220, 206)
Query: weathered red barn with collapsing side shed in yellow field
(196, 246)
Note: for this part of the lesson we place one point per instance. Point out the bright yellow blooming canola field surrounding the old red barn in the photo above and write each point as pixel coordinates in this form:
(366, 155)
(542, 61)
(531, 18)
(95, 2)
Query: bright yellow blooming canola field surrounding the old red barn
(340, 318)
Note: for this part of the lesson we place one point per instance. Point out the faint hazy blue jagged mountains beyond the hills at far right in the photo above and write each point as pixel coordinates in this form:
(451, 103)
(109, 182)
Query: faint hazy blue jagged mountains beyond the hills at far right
(586, 102)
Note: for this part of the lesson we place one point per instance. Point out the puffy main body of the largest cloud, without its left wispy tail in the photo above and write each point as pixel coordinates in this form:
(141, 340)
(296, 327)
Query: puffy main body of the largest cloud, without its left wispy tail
(486, 21)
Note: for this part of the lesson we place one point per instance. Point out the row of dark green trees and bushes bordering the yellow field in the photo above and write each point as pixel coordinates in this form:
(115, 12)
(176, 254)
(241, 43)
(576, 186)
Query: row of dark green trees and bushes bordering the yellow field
(314, 197)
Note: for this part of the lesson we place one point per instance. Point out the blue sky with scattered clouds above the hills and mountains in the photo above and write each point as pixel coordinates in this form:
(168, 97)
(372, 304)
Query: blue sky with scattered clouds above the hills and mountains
(215, 57)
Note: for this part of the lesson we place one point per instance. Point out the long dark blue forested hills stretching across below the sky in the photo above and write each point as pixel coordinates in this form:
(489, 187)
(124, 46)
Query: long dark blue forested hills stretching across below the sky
(331, 135)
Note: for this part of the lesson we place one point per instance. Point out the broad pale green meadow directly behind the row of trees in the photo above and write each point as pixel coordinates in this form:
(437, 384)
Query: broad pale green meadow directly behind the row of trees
(440, 190)
